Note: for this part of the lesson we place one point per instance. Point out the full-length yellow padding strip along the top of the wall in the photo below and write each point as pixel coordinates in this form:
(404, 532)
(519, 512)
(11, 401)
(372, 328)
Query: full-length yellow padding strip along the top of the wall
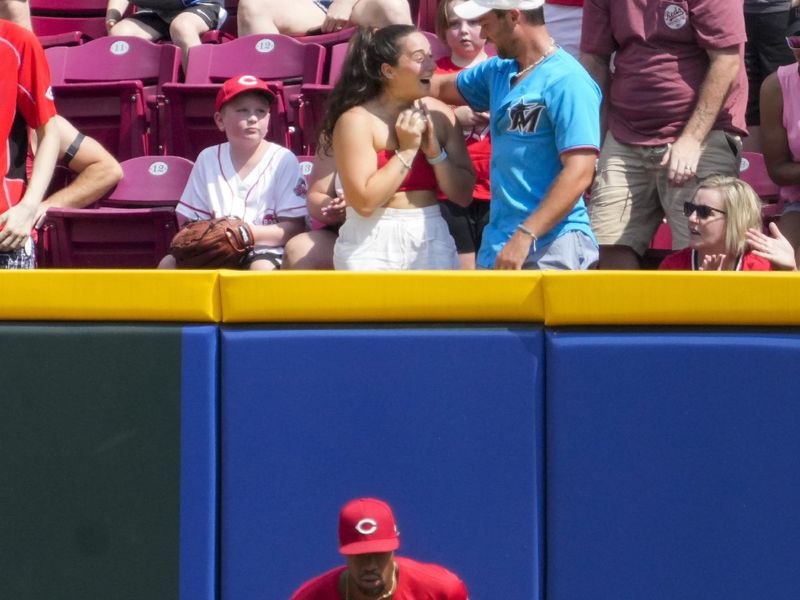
(553, 298)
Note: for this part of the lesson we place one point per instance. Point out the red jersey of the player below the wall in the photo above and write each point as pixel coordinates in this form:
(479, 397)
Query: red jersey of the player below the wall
(415, 581)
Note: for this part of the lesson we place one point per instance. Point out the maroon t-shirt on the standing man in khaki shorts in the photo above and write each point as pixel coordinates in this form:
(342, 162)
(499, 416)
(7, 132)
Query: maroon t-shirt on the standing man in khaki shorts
(661, 62)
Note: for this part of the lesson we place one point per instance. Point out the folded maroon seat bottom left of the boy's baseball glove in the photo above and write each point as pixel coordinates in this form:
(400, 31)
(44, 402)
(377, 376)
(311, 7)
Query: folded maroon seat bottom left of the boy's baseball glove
(106, 237)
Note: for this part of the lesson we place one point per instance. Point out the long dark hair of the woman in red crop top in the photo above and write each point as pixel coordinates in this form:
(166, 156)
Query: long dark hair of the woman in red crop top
(361, 79)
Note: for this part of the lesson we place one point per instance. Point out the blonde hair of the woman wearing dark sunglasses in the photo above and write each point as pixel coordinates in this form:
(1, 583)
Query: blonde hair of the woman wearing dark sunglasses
(742, 208)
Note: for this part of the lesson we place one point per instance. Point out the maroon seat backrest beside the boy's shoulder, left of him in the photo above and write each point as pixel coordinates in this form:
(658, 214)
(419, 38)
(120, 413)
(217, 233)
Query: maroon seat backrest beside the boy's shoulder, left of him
(150, 181)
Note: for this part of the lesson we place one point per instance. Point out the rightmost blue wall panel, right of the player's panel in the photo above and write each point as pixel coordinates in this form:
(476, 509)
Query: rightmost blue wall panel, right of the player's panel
(673, 466)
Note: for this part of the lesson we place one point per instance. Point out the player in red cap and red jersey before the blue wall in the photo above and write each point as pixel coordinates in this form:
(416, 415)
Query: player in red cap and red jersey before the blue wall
(368, 537)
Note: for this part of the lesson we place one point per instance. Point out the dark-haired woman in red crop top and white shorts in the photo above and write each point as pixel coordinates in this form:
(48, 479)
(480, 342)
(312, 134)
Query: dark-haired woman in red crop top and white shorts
(394, 148)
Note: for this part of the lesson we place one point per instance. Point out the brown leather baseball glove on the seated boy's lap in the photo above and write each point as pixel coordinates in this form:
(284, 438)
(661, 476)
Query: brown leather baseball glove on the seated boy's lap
(212, 244)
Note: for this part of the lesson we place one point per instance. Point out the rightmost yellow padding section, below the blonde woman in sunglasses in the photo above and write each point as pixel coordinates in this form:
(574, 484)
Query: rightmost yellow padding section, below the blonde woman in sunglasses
(671, 298)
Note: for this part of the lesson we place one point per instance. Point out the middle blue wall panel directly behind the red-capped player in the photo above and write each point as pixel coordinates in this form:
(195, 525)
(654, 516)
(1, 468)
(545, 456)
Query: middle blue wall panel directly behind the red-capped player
(445, 424)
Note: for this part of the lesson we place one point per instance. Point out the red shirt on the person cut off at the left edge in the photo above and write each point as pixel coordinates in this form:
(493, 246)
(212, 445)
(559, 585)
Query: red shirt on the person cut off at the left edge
(24, 87)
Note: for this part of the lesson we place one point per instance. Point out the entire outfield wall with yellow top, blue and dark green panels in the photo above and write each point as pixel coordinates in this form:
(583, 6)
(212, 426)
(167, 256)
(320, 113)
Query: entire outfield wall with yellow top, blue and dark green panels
(546, 435)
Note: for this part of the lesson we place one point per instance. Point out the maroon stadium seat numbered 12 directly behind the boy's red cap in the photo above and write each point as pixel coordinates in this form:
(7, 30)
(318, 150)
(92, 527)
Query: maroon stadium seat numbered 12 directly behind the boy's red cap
(281, 60)
